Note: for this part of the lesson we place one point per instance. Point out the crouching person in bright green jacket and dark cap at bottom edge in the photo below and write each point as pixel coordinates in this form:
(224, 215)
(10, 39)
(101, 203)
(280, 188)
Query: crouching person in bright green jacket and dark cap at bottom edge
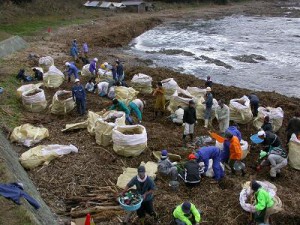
(187, 214)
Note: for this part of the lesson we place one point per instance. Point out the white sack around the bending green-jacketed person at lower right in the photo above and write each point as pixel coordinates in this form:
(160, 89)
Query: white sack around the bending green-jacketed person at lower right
(246, 193)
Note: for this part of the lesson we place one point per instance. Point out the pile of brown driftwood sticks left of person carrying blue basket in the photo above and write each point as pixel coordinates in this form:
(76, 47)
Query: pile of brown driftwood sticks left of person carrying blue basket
(100, 202)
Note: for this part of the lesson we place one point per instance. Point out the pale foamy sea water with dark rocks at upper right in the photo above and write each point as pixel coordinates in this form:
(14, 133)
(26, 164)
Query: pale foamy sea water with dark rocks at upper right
(212, 47)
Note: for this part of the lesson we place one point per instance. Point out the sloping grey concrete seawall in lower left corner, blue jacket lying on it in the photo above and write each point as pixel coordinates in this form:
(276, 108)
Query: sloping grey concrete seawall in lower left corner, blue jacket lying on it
(42, 216)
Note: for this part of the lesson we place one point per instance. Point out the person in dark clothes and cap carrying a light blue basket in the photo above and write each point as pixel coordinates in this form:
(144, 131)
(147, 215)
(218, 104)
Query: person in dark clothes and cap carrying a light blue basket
(145, 186)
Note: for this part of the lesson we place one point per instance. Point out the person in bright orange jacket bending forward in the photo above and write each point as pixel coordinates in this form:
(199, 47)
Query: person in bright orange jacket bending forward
(235, 152)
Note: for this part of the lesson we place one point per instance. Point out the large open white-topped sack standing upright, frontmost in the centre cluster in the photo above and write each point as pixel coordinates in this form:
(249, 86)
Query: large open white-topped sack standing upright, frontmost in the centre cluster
(129, 140)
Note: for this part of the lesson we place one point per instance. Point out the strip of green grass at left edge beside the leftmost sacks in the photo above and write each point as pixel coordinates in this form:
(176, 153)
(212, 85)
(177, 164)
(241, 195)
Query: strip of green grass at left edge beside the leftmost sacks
(10, 106)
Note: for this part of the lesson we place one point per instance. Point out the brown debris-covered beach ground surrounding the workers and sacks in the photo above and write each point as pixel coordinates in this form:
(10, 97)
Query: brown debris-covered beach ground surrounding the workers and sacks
(67, 176)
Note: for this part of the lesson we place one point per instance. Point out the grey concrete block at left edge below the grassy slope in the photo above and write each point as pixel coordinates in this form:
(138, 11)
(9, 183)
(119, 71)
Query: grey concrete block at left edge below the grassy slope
(12, 45)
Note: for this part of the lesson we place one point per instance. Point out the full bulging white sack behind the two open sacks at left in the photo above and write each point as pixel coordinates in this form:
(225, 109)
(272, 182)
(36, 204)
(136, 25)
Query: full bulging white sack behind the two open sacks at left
(53, 78)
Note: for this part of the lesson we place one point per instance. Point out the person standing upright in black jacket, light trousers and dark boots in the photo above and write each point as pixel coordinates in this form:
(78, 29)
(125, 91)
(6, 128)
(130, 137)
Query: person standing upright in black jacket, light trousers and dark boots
(189, 120)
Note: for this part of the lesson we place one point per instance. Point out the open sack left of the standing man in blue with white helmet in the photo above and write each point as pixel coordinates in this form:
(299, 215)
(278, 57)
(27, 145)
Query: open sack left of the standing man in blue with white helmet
(61, 107)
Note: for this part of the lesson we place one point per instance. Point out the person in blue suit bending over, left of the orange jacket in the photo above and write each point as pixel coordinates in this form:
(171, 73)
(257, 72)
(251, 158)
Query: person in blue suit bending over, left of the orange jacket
(206, 153)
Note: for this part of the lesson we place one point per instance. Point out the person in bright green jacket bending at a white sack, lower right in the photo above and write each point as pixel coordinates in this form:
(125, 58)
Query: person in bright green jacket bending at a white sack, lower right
(264, 204)
